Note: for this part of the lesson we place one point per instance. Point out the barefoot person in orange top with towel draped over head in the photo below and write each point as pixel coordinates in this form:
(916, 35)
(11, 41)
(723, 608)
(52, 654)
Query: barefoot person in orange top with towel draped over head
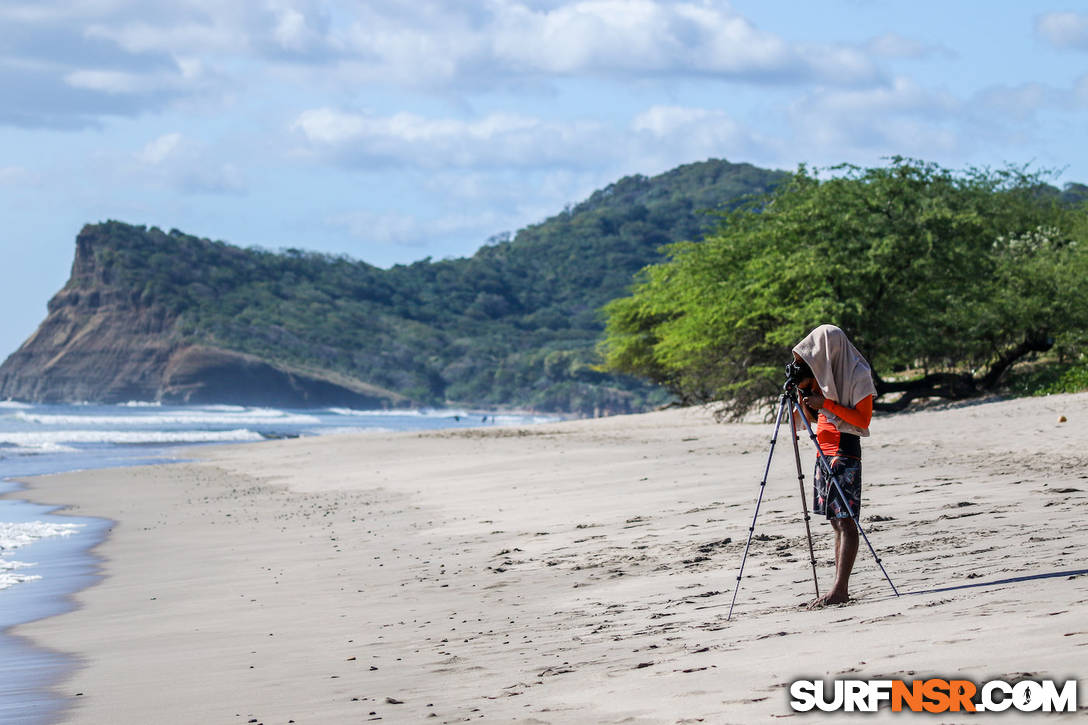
(837, 394)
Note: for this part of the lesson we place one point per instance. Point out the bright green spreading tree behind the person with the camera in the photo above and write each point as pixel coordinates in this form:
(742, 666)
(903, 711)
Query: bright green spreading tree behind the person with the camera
(944, 279)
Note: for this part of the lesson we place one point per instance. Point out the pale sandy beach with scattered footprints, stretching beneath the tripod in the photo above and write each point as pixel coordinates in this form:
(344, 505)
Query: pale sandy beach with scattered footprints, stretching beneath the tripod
(571, 573)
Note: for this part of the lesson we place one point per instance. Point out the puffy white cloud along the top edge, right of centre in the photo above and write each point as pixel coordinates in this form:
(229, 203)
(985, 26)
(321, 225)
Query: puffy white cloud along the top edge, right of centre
(614, 39)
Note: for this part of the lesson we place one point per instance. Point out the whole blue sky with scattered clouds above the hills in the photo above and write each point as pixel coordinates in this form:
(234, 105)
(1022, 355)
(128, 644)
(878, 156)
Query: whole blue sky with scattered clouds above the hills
(393, 131)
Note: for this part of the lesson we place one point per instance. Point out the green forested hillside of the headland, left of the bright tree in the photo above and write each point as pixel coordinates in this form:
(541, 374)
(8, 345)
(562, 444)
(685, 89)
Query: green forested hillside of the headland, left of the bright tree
(516, 325)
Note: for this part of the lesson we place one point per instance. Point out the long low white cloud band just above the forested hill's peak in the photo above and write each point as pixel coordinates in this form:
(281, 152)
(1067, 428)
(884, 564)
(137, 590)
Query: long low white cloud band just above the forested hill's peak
(657, 139)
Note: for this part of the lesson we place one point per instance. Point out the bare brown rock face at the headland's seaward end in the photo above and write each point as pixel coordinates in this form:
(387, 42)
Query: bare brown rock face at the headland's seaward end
(103, 342)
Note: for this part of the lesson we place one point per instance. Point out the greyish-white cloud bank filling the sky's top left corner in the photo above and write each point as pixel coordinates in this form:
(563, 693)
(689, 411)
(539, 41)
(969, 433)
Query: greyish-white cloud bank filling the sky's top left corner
(71, 64)
